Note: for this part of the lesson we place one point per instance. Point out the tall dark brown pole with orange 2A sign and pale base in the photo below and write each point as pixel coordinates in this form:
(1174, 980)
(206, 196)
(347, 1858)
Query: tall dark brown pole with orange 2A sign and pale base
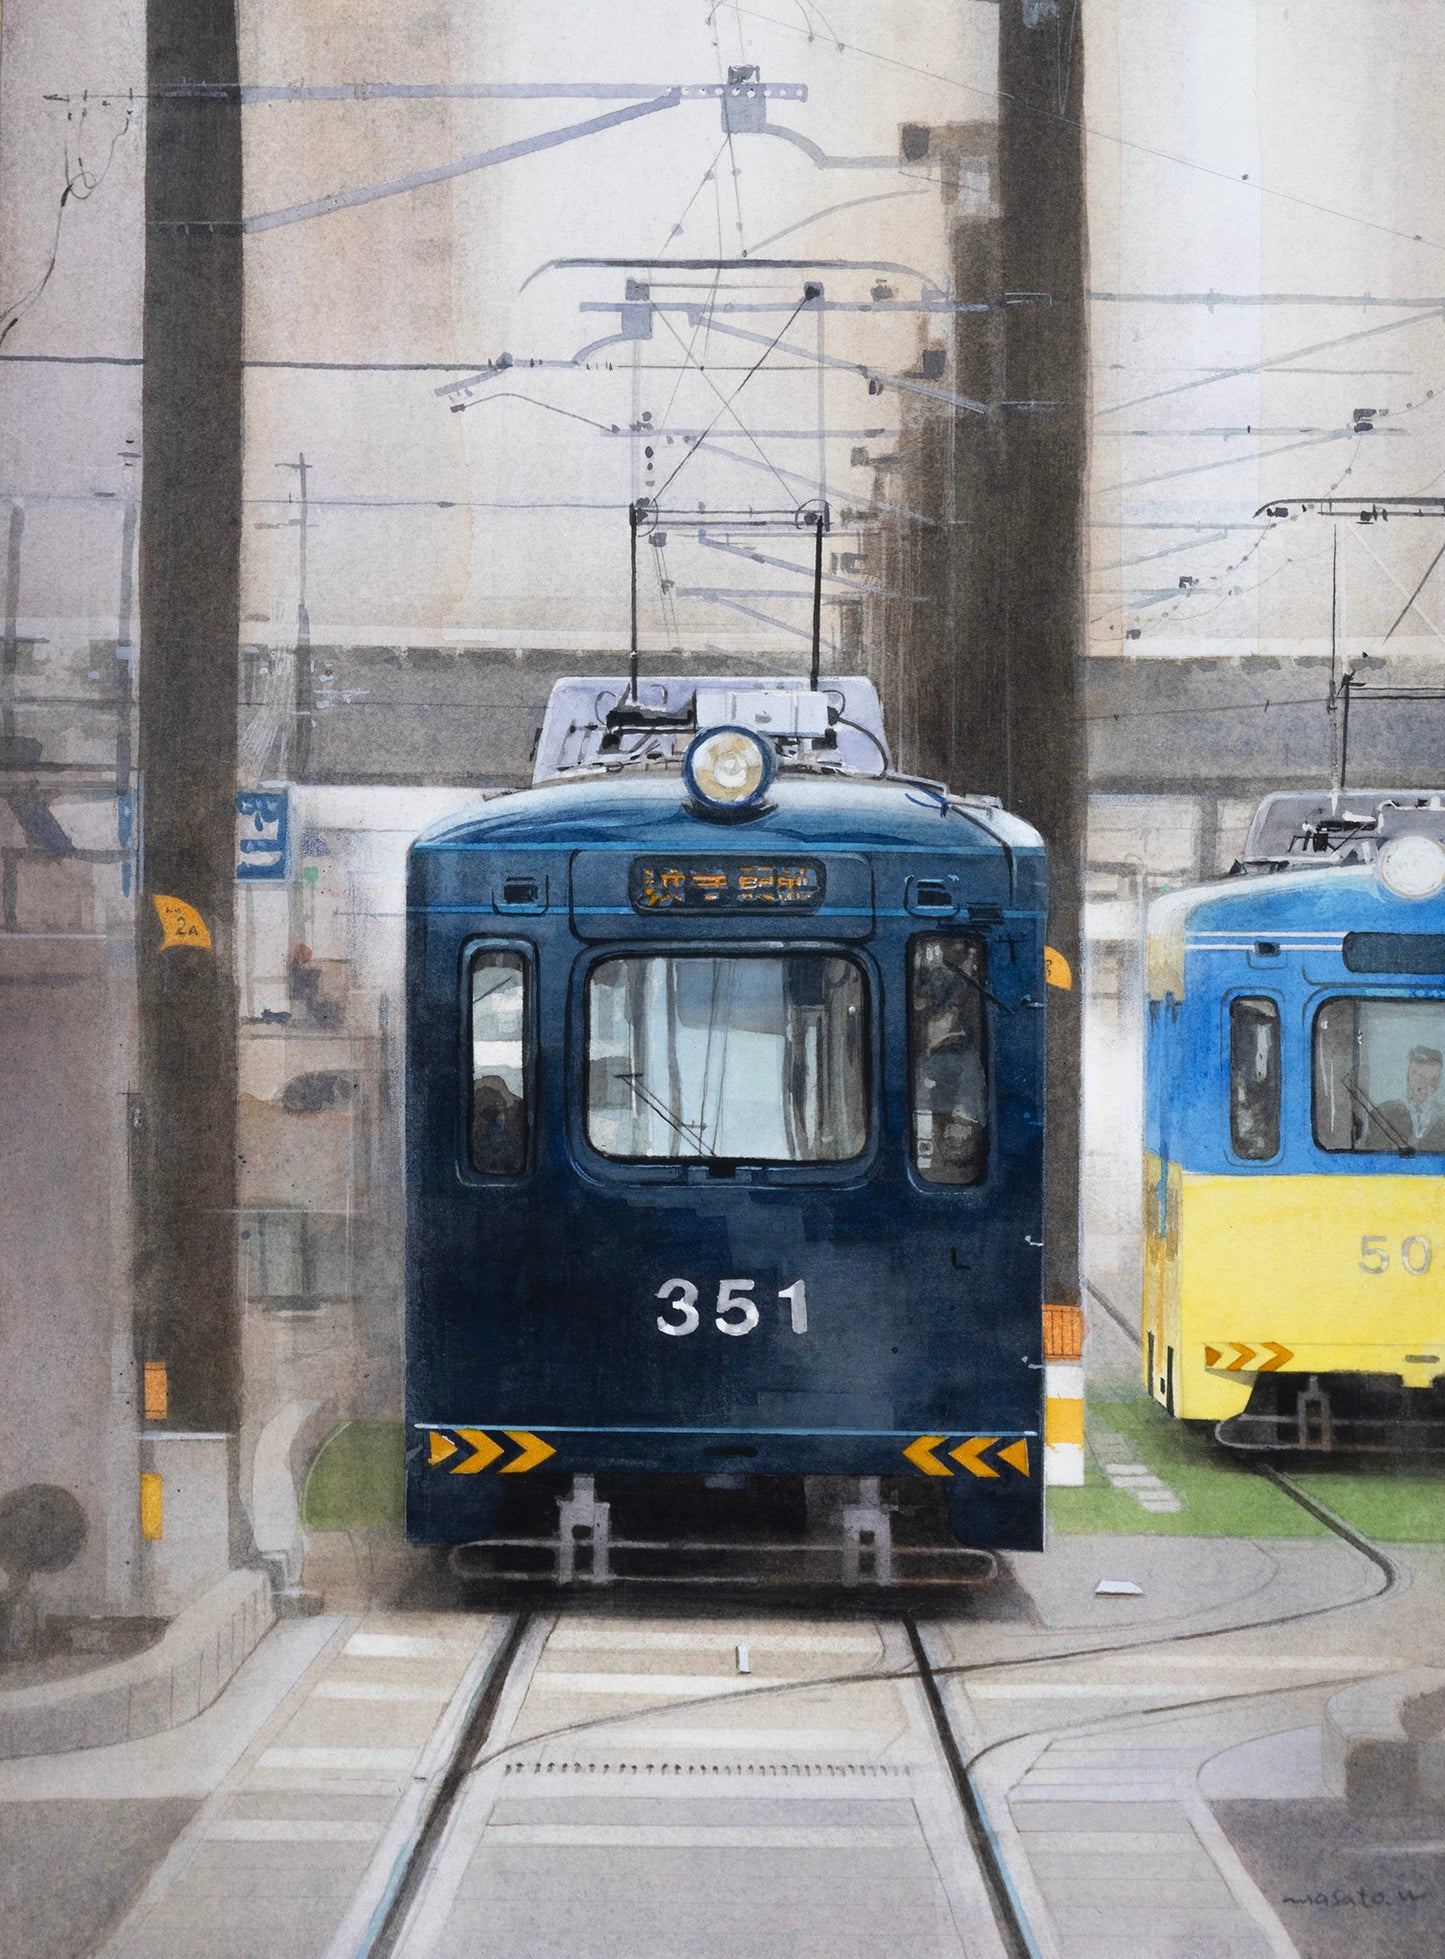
(189, 591)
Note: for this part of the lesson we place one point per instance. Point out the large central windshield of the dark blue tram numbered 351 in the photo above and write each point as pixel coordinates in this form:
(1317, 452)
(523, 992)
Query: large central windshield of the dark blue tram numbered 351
(739, 1059)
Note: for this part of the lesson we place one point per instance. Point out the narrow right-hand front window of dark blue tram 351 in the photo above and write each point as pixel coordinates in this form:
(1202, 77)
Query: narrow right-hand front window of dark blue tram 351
(949, 1063)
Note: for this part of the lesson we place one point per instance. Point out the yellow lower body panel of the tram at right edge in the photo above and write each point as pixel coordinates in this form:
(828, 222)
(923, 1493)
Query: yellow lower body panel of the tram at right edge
(1295, 1274)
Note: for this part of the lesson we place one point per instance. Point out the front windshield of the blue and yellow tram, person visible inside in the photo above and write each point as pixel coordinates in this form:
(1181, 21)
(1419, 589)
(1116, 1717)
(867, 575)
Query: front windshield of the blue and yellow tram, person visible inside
(1377, 1076)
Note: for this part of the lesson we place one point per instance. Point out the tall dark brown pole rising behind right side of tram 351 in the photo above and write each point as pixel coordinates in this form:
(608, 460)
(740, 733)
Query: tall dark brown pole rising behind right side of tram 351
(1019, 506)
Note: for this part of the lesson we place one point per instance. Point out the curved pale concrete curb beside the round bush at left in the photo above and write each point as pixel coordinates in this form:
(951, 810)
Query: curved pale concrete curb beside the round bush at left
(162, 1688)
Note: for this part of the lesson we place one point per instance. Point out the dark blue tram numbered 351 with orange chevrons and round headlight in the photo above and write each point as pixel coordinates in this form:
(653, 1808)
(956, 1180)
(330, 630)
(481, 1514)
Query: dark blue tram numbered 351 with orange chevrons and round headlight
(725, 1059)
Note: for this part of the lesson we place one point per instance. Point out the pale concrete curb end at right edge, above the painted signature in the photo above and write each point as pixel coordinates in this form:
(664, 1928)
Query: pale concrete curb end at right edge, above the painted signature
(1385, 1743)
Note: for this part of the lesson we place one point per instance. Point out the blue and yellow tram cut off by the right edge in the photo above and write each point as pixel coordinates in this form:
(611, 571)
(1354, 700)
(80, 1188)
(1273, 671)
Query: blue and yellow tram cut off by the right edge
(1295, 1131)
